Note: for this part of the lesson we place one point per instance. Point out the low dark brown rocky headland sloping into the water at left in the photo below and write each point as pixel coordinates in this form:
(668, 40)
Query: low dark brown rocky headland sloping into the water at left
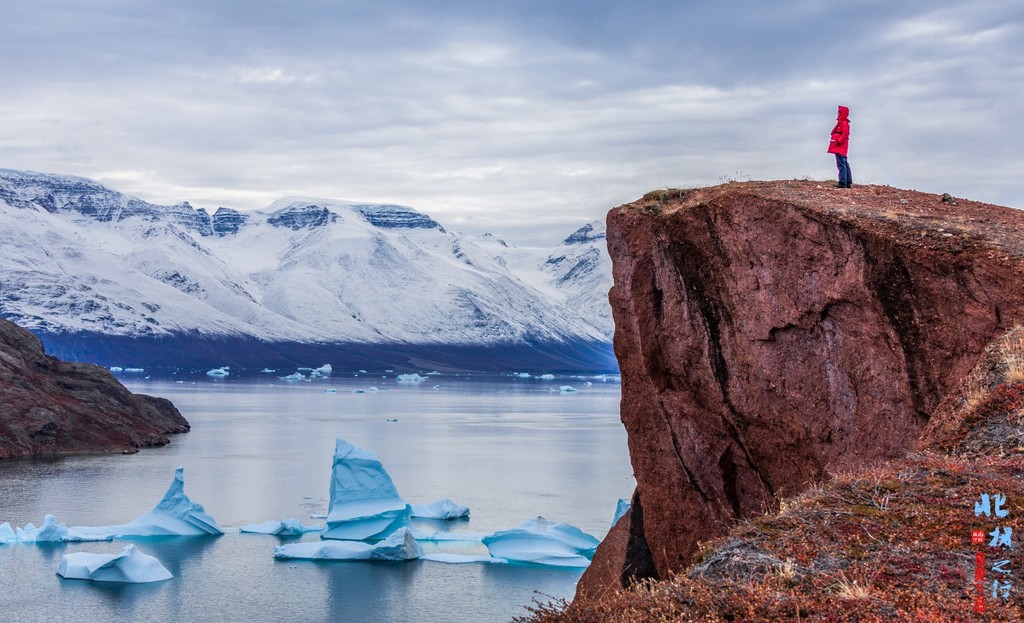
(50, 407)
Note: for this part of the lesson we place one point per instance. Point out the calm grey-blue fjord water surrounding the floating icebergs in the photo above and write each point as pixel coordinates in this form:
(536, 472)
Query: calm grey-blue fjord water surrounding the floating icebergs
(510, 449)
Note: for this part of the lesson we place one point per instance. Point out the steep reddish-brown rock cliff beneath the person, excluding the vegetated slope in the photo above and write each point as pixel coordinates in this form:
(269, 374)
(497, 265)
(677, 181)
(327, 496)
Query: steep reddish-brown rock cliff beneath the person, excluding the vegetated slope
(771, 335)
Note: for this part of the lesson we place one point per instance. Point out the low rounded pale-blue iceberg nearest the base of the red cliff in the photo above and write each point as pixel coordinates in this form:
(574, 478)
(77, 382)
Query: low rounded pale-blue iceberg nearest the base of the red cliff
(540, 542)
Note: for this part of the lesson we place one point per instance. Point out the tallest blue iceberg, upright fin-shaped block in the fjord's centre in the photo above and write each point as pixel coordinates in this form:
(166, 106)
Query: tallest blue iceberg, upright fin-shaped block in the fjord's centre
(365, 504)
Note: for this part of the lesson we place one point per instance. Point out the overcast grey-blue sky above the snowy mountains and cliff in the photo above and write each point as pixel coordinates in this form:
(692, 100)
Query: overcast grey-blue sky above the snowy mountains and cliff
(526, 118)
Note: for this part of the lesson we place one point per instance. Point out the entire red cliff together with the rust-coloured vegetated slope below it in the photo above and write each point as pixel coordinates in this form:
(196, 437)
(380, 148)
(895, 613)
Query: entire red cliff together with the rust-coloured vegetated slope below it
(796, 364)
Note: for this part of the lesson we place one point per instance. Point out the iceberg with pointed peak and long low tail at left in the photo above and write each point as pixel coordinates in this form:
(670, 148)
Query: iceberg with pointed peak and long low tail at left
(176, 516)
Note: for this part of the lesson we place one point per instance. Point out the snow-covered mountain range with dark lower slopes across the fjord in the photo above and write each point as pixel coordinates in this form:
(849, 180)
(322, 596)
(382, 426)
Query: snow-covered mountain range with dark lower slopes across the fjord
(96, 274)
